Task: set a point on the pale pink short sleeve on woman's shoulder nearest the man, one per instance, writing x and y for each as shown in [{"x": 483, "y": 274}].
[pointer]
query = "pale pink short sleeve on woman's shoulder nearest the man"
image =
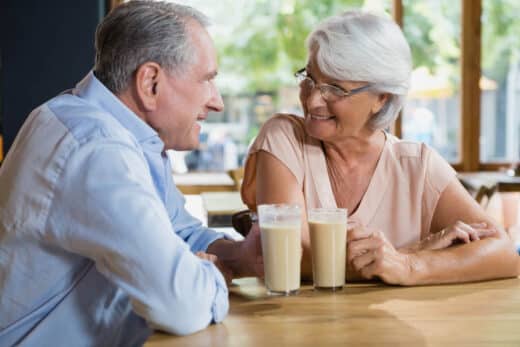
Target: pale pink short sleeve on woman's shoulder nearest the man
[{"x": 283, "y": 137}]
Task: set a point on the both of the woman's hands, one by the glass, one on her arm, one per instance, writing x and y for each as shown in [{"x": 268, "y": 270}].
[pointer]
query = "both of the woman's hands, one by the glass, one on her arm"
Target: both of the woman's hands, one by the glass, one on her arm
[{"x": 371, "y": 255}]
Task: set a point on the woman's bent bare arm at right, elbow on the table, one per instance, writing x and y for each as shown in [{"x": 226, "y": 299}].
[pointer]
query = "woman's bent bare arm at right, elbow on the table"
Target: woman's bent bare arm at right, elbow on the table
[{"x": 491, "y": 257}]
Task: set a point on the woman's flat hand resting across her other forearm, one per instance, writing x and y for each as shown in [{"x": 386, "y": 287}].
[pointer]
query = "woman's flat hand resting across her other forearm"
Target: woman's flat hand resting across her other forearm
[{"x": 459, "y": 232}]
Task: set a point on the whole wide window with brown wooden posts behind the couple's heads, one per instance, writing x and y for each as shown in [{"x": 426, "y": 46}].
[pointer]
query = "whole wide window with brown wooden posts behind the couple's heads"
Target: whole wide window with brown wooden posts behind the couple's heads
[{"x": 464, "y": 106}]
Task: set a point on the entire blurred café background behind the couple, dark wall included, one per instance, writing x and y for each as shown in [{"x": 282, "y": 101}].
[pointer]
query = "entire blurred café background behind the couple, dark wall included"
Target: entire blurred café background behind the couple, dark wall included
[{"x": 465, "y": 87}]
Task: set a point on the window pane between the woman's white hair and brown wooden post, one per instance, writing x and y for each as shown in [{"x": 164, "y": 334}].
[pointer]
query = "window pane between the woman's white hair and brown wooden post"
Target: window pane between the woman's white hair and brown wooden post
[{"x": 431, "y": 114}]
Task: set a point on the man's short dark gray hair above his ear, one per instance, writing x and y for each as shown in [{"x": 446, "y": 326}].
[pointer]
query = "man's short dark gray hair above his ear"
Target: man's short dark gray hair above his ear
[{"x": 140, "y": 31}]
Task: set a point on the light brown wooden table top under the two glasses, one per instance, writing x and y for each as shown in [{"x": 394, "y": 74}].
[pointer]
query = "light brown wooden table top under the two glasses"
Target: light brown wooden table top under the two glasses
[{"x": 476, "y": 314}]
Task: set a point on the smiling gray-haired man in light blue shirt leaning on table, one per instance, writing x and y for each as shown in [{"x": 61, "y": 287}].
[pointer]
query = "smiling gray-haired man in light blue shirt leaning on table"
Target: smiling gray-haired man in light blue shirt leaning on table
[{"x": 96, "y": 247}]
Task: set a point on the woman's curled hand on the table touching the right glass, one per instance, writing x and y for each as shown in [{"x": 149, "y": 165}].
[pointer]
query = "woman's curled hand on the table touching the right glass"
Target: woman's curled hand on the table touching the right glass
[{"x": 371, "y": 255}]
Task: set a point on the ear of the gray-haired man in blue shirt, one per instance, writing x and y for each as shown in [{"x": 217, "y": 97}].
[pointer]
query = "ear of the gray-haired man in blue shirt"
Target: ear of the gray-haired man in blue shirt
[{"x": 146, "y": 80}]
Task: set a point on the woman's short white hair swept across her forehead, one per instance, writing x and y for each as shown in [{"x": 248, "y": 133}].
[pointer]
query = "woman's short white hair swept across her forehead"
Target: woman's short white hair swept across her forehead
[{"x": 360, "y": 46}]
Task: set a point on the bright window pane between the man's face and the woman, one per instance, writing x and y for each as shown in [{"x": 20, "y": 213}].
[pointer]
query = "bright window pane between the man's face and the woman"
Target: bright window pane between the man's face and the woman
[{"x": 259, "y": 52}]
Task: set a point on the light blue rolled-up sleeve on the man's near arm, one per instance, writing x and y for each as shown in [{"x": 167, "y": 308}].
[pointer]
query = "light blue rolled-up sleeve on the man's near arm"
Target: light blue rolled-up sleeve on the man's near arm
[{"x": 107, "y": 209}]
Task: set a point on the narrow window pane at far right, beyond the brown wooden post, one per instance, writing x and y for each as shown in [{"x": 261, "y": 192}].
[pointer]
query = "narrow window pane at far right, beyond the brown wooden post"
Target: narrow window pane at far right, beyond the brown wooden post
[{"x": 500, "y": 82}]
